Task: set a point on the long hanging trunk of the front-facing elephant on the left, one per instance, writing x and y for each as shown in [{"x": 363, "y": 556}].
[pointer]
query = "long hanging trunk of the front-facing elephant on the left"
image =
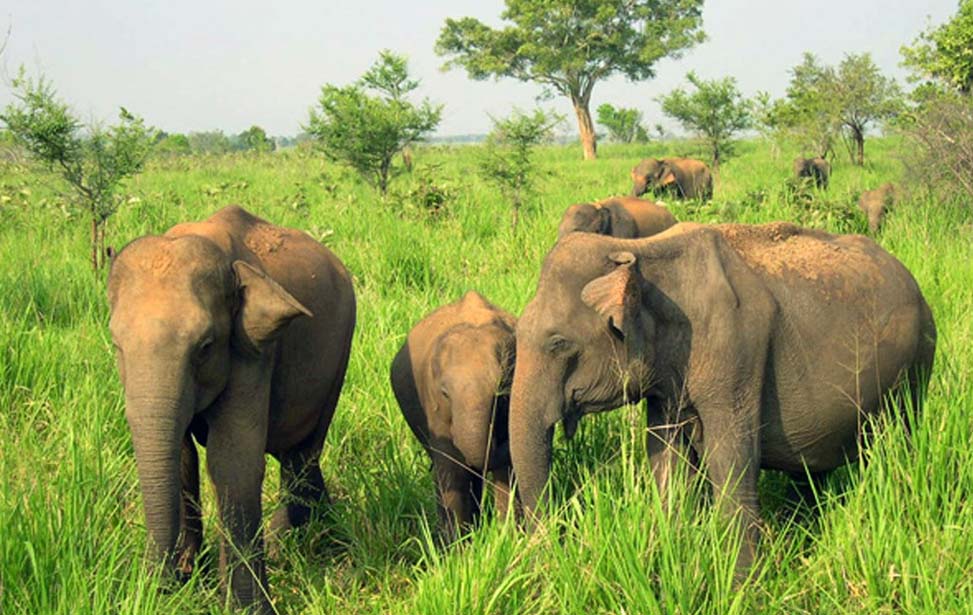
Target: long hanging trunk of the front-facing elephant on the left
[{"x": 158, "y": 426}]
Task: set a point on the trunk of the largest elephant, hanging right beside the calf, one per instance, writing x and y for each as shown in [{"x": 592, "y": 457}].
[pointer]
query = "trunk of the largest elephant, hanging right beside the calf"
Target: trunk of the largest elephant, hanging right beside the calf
[{"x": 532, "y": 419}]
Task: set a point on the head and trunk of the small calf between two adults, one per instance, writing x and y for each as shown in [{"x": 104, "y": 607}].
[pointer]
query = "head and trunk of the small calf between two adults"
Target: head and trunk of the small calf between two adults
[{"x": 472, "y": 368}]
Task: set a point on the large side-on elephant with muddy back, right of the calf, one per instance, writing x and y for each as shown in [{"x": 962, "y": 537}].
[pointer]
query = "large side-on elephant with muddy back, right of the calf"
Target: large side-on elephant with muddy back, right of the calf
[{"x": 755, "y": 346}]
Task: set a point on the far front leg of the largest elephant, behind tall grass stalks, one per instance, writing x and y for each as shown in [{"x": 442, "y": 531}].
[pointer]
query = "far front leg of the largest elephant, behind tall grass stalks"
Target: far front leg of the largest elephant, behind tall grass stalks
[{"x": 665, "y": 442}]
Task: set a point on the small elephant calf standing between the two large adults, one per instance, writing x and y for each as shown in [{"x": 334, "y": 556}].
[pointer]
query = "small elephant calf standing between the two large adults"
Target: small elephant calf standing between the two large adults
[{"x": 452, "y": 382}]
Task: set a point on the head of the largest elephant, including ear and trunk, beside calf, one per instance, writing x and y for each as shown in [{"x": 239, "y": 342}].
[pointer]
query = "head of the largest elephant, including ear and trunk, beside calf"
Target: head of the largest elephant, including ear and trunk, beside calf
[{"x": 581, "y": 348}]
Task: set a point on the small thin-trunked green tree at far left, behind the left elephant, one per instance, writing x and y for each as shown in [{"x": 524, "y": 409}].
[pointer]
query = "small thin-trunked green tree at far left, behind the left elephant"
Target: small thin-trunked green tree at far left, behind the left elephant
[{"x": 93, "y": 160}]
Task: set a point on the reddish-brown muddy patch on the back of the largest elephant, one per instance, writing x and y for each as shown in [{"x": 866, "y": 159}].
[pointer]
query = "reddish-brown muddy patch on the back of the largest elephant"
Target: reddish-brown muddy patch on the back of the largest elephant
[{"x": 782, "y": 249}]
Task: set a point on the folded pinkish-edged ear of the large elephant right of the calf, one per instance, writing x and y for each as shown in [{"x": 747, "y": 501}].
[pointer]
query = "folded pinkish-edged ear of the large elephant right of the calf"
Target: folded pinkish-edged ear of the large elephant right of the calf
[{"x": 617, "y": 297}]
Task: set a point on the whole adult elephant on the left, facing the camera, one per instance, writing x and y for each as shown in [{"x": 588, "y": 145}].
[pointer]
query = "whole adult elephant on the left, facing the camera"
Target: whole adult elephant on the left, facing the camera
[{"x": 234, "y": 333}]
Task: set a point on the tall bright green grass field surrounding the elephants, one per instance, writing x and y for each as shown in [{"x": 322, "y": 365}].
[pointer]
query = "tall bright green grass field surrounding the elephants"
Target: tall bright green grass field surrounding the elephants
[{"x": 894, "y": 535}]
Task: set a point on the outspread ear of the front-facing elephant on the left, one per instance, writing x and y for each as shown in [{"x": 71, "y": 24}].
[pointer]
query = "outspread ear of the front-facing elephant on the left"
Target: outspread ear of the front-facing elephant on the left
[{"x": 265, "y": 309}]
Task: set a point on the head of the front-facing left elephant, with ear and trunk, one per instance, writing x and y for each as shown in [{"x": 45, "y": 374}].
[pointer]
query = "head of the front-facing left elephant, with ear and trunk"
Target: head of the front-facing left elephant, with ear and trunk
[{"x": 182, "y": 312}]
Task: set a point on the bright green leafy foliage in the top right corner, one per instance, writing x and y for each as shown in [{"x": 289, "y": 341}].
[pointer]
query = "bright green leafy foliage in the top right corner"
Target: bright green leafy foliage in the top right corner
[{"x": 944, "y": 55}]
